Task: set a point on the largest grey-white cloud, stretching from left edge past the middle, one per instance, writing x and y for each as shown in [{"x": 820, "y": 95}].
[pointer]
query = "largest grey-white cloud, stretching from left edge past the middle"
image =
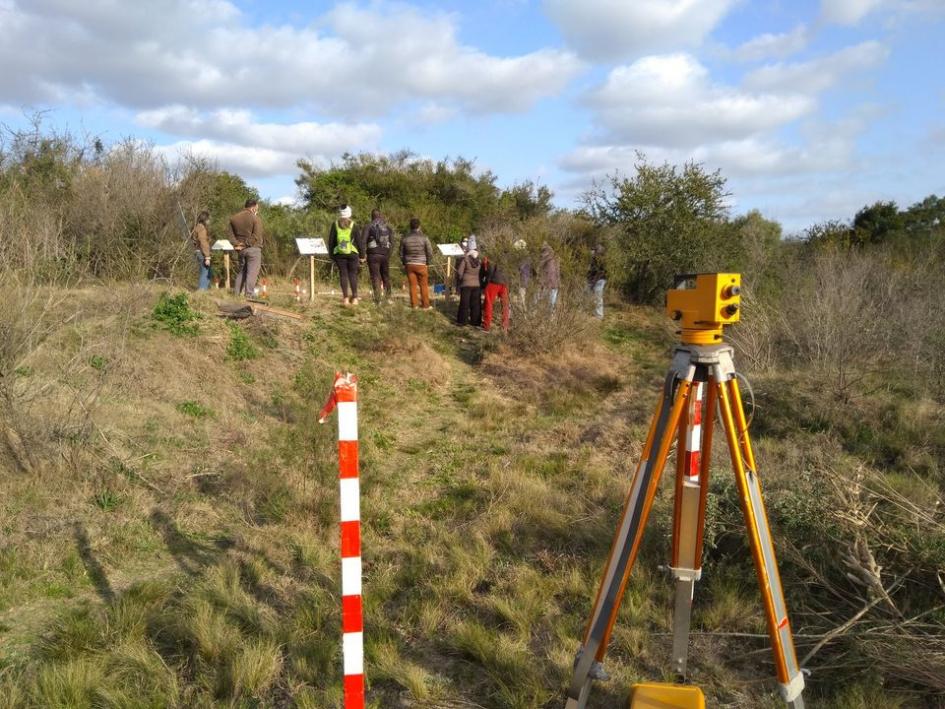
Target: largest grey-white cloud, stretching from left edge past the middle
[{"x": 355, "y": 62}]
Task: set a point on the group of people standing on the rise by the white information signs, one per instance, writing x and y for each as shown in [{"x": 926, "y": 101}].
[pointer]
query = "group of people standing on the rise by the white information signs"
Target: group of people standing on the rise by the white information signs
[{"x": 480, "y": 279}]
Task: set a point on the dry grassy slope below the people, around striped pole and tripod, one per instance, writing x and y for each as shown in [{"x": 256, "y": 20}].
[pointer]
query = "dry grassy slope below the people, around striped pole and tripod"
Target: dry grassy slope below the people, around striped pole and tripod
[{"x": 170, "y": 515}]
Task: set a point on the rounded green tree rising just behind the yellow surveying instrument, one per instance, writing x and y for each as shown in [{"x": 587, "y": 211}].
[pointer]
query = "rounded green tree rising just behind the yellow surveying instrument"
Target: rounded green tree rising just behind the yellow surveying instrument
[{"x": 667, "y": 220}]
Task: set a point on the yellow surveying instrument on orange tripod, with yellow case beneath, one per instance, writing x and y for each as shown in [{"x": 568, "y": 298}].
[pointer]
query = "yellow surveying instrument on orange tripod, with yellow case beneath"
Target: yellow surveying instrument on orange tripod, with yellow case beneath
[{"x": 701, "y": 379}]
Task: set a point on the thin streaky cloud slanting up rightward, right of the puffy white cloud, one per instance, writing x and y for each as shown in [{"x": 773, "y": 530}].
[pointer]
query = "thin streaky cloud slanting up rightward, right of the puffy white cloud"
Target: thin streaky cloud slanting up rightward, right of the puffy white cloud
[{"x": 818, "y": 74}]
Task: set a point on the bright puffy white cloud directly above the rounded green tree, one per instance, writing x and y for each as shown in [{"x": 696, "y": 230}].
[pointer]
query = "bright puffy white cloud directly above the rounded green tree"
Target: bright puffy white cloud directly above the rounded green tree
[{"x": 671, "y": 101}]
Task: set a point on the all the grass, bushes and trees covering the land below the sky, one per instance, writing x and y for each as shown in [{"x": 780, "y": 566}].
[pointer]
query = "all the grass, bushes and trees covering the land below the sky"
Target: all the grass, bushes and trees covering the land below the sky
[{"x": 170, "y": 502}]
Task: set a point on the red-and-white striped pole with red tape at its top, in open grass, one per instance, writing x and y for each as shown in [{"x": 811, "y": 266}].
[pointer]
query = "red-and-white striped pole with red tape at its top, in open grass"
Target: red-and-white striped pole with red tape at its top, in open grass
[{"x": 344, "y": 394}]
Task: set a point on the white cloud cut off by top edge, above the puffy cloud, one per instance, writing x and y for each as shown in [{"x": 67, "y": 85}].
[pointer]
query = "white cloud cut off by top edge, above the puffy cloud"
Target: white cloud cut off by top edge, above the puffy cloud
[{"x": 617, "y": 29}]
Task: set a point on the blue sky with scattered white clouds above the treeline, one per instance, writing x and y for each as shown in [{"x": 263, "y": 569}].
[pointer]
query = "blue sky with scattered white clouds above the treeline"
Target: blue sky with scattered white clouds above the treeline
[{"x": 810, "y": 108}]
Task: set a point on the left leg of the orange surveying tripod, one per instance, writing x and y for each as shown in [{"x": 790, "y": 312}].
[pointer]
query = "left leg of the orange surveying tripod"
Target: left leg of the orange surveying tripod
[{"x": 626, "y": 543}]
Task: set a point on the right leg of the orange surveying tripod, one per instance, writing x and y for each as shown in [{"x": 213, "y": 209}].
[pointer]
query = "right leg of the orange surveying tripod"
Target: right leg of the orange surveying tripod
[{"x": 762, "y": 547}]
